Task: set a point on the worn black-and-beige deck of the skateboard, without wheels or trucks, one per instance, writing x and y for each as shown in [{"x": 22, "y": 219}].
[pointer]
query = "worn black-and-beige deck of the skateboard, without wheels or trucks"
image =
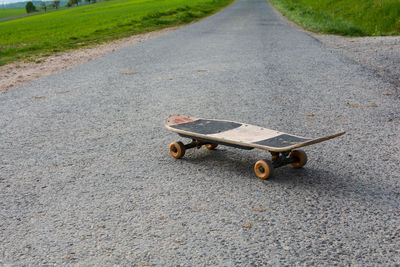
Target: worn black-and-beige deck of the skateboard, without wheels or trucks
[{"x": 241, "y": 135}]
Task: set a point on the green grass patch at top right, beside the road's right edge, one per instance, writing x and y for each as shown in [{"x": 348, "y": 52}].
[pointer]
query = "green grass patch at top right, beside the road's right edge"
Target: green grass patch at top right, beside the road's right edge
[{"x": 344, "y": 17}]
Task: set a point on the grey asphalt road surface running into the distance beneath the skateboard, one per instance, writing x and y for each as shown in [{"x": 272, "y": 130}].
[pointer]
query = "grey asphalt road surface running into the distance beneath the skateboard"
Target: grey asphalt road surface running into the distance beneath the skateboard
[{"x": 86, "y": 176}]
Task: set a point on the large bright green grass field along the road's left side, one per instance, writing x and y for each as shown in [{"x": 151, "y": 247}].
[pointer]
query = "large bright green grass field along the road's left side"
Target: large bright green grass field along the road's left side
[{"x": 46, "y": 34}]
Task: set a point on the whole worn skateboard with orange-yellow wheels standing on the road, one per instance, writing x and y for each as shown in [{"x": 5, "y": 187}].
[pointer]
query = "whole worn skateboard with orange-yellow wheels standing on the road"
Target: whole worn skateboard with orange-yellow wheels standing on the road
[{"x": 211, "y": 133}]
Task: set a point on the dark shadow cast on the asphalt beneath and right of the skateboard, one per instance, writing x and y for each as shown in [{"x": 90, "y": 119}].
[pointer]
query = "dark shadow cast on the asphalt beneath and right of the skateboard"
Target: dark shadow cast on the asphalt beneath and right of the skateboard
[{"x": 314, "y": 180}]
